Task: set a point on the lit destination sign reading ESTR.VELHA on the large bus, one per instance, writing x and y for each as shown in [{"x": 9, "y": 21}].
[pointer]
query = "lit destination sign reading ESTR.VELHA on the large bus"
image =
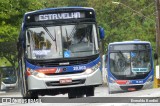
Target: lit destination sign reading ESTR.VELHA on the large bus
[{"x": 71, "y": 15}]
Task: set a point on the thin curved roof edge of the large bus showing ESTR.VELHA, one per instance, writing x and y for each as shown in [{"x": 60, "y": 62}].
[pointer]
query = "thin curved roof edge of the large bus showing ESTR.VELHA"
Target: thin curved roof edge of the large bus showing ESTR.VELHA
[{"x": 76, "y": 8}]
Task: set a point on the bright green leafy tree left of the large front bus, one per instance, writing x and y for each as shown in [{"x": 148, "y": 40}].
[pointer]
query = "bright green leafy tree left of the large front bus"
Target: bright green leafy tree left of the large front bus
[{"x": 11, "y": 14}]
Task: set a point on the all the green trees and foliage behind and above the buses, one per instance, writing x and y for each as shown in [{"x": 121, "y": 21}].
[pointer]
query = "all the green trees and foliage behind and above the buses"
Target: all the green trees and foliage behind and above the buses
[{"x": 128, "y": 20}]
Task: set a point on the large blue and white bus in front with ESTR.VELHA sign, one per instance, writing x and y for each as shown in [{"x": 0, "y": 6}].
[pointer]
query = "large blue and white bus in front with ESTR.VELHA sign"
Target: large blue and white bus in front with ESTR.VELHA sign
[{"x": 59, "y": 52}]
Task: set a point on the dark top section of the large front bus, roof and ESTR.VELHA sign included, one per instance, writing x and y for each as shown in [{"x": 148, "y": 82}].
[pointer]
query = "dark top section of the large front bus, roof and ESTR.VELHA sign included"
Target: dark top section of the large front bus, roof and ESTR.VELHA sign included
[{"x": 60, "y": 13}]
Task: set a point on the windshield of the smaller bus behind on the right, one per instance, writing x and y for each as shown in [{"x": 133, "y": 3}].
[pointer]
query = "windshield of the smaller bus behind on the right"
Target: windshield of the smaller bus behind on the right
[{"x": 131, "y": 64}]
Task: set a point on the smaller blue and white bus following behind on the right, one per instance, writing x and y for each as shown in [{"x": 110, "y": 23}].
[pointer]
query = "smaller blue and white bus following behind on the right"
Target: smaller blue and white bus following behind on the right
[{"x": 129, "y": 66}]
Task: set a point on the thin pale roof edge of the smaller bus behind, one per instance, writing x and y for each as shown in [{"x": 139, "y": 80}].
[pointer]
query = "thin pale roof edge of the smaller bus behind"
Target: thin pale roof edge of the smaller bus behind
[{"x": 130, "y": 42}]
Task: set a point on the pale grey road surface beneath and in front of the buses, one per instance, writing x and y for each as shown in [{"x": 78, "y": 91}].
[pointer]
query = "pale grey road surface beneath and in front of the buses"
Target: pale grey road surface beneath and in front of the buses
[{"x": 101, "y": 98}]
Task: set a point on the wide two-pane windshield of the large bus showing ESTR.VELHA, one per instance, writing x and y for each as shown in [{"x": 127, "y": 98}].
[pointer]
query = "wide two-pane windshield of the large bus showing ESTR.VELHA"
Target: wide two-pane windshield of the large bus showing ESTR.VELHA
[{"x": 47, "y": 42}]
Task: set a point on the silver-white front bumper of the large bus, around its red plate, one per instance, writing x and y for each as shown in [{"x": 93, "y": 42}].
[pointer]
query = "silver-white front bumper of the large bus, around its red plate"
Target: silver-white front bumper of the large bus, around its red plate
[{"x": 52, "y": 82}]
